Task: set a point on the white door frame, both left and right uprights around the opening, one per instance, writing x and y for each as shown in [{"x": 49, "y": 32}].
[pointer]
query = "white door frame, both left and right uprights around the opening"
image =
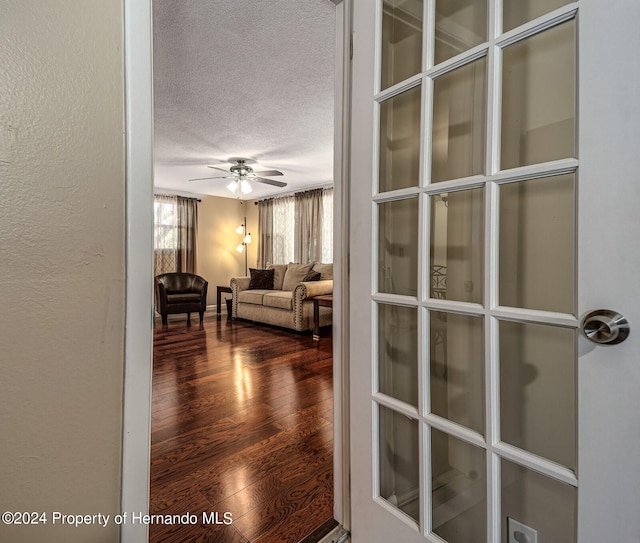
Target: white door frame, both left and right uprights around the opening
[{"x": 138, "y": 347}]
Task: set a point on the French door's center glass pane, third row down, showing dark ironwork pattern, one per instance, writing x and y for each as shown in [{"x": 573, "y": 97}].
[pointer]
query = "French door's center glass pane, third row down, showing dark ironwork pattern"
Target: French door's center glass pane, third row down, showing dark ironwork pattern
[{"x": 456, "y": 246}]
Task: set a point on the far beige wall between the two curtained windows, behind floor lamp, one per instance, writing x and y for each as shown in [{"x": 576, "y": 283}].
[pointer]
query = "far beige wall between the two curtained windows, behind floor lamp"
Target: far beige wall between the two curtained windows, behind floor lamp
[{"x": 218, "y": 260}]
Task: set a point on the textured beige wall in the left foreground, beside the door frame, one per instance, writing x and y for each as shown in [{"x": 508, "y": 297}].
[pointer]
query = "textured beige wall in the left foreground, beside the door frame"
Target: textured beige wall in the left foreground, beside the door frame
[{"x": 62, "y": 245}]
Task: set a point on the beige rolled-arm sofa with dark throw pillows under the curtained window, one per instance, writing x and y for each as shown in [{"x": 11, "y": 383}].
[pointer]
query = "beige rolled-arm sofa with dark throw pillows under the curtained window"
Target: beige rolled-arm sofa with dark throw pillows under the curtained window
[{"x": 282, "y": 295}]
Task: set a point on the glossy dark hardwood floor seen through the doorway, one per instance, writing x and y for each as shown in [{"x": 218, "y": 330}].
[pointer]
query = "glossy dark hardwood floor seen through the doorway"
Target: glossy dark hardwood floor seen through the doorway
[{"x": 242, "y": 423}]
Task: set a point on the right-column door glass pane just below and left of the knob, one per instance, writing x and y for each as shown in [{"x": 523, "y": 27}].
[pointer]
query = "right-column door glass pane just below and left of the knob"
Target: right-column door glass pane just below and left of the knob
[{"x": 538, "y": 390}]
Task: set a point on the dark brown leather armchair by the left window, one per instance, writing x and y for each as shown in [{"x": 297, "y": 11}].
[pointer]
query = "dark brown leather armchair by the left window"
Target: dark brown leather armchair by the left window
[{"x": 180, "y": 293}]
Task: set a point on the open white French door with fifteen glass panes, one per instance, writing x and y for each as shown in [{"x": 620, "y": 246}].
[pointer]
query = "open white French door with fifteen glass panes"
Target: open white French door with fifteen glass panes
[{"x": 494, "y": 197}]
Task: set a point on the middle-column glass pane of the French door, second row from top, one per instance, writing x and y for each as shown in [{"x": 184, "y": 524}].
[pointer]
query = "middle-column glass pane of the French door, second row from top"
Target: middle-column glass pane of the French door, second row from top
[{"x": 459, "y": 112}]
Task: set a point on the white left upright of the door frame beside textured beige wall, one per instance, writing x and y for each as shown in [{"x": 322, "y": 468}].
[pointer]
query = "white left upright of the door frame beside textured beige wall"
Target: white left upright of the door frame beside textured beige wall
[{"x": 138, "y": 348}]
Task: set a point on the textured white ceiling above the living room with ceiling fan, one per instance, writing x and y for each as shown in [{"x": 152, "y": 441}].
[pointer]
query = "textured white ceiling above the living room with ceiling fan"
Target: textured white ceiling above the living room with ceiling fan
[{"x": 243, "y": 78}]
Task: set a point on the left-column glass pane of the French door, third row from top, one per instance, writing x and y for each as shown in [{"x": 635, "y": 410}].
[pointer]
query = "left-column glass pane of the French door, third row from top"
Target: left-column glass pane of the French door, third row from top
[{"x": 398, "y": 247}]
